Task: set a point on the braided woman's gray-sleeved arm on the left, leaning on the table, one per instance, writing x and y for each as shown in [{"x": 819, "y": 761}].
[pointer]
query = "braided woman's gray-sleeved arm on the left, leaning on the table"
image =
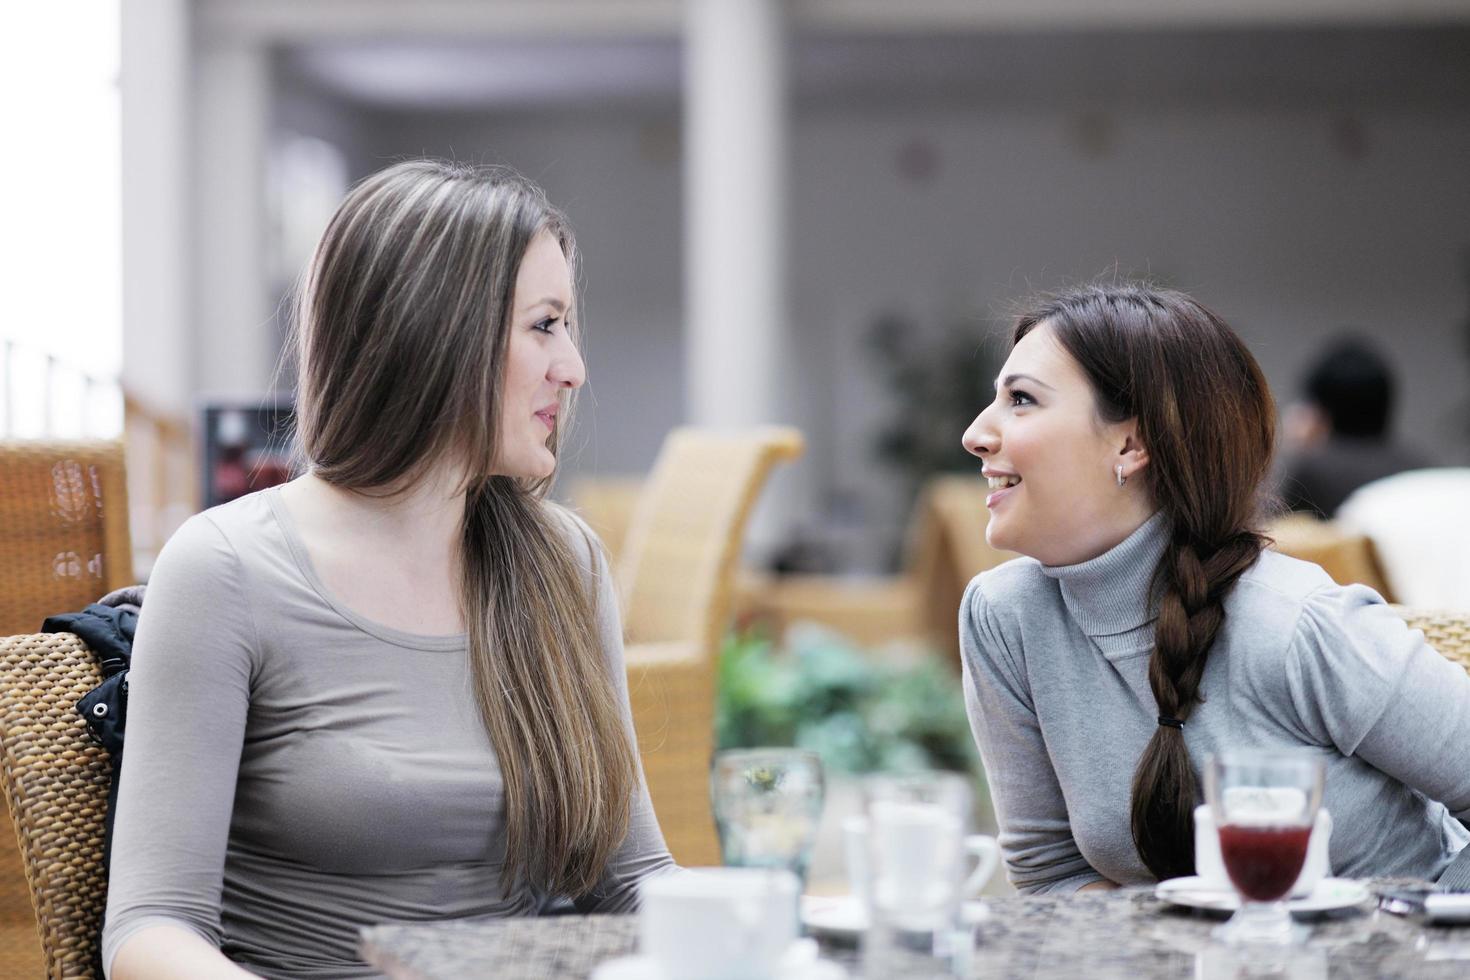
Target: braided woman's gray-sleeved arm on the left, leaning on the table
[{"x": 1041, "y": 854}]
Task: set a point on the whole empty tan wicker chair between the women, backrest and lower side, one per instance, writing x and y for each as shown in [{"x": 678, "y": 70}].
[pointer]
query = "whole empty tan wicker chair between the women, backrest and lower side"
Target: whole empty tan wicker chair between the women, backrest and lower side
[{"x": 677, "y": 577}]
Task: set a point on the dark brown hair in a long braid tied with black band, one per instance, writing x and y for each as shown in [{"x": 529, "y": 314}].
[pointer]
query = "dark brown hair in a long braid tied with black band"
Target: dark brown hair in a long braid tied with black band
[{"x": 1209, "y": 422}]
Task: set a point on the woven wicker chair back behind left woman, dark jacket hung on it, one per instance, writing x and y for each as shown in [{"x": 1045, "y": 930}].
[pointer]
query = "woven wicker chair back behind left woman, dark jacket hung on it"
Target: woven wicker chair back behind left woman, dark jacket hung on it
[{"x": 55, "y": 779}]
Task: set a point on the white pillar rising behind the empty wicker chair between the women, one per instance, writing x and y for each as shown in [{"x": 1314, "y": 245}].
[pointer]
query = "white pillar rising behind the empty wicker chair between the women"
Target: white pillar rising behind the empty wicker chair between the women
[{"x": 736, "y": 171}]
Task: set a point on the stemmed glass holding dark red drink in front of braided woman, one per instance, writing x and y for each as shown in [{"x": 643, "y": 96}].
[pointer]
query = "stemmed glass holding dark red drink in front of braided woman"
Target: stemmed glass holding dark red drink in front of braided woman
[{"x": 1265, "y": 803}]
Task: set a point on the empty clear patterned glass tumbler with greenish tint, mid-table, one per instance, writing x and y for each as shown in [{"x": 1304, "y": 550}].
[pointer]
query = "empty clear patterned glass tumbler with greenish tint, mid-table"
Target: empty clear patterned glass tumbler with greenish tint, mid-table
[{"x": 768, "y": 806}]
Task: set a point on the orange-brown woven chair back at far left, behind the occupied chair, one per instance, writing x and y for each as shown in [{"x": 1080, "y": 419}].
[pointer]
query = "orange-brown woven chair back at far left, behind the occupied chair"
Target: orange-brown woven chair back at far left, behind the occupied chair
[{"x": 64, "y": 530}]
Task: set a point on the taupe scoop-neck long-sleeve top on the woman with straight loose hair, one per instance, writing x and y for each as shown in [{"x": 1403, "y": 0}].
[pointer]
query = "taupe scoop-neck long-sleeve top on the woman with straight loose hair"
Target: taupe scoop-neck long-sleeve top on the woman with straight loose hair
[{"x": 295, "y": 771}]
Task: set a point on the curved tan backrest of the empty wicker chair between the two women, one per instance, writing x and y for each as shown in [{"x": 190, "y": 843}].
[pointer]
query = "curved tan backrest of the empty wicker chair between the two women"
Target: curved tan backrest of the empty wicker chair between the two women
[{"x": 678, "y": 565}]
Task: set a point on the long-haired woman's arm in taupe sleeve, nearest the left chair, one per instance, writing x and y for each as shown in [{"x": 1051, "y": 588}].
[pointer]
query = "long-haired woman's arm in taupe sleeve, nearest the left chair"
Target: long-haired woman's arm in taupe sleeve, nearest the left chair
[{"x": 189, "y": 694}]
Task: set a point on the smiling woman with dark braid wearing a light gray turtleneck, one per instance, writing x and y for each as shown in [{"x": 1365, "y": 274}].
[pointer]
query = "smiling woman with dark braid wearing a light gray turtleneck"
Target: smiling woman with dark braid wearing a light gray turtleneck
[{"x": 1147, "y": 625}]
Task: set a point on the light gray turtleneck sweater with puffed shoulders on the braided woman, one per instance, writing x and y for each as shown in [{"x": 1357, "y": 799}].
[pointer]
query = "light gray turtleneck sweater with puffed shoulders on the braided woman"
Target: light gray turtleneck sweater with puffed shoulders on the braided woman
[{"x": 1056, "y": 681}]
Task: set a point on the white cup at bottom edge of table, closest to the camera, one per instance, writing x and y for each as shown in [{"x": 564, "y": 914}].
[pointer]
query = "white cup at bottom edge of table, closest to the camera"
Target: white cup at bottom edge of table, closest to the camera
[{"x": 718, "y": 923}]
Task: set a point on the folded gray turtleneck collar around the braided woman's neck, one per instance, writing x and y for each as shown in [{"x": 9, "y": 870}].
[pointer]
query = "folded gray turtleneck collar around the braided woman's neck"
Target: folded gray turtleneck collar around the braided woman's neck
[{"x": 1111, "y": 594}]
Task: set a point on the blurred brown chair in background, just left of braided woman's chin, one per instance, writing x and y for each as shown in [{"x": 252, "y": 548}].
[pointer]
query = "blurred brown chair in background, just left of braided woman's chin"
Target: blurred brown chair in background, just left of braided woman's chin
[{"x": 944, "y": 549}]
